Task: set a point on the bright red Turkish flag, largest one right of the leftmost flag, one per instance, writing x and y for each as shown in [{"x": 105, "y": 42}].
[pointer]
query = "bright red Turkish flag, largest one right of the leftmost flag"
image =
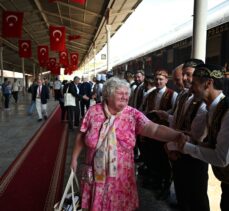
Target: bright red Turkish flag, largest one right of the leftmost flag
[{"x": 57, "y": 38}]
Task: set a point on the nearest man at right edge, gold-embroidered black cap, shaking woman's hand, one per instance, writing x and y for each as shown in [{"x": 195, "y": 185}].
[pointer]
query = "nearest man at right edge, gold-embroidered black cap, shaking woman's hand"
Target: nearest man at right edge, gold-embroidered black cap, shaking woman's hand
[{"x": 208, "y": 85}]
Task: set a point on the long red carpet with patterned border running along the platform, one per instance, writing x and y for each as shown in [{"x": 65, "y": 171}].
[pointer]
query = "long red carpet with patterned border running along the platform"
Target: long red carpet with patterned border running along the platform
[{"x": 34, "y": 180}]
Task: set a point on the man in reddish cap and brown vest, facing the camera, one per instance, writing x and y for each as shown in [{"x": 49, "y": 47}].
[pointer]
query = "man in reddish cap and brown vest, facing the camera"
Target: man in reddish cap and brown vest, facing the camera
[{"x": 156, "y": 158}]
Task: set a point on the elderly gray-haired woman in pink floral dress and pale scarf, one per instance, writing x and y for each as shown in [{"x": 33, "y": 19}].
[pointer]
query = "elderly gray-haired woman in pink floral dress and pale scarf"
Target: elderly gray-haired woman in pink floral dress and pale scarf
[{"x": 108, "y": 132}]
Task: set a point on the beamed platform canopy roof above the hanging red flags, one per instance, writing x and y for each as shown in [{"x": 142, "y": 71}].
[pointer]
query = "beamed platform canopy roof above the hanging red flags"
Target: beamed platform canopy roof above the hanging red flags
[{"x": 84, "y": 20}]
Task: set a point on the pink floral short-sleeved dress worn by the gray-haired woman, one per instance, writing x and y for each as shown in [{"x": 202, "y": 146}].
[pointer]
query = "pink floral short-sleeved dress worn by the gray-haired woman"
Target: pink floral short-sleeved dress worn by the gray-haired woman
[{"x": 119, "y": 193}]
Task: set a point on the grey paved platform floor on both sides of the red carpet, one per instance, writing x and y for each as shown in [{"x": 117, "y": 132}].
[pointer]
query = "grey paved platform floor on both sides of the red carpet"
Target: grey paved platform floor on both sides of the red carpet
[{"x": 16, "y": 129}]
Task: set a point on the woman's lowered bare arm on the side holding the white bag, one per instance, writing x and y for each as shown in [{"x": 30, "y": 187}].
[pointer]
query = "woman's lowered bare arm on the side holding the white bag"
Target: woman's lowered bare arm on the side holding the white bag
[{"x": 79, "y": 145}]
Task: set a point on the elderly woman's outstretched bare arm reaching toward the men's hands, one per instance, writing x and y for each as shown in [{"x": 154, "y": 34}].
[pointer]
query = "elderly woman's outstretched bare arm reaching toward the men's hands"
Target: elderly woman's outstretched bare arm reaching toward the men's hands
[{"x": 161, "y": 133}]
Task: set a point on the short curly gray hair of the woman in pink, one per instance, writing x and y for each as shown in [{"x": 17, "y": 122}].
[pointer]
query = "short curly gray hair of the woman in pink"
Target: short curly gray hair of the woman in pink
[{"x": 111, "y": 85}]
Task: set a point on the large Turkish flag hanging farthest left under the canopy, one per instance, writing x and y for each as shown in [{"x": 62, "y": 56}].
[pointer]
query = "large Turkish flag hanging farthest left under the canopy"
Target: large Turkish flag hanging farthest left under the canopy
[{"x": 12, "y": 24}]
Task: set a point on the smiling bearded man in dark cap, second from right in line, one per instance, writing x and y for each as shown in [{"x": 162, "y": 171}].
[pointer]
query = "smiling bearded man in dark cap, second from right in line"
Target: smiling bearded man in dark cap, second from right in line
[{"x": 190, "y": 117}]
